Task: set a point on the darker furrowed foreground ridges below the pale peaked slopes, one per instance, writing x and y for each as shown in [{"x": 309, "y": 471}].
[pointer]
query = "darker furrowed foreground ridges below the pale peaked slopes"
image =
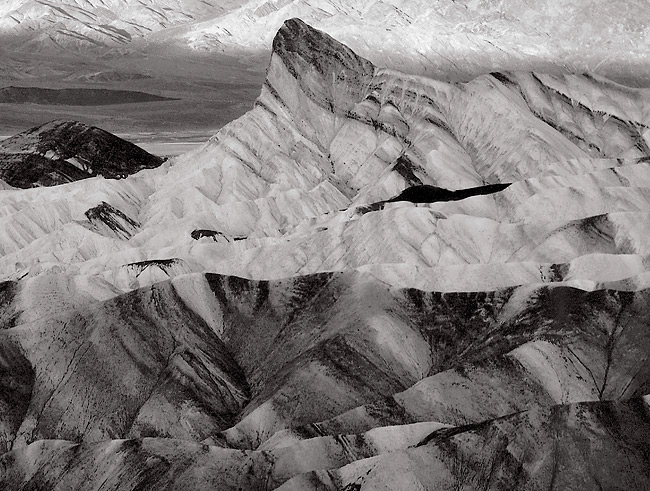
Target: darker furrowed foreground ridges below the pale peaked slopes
[{"x": 276, "y": 355}]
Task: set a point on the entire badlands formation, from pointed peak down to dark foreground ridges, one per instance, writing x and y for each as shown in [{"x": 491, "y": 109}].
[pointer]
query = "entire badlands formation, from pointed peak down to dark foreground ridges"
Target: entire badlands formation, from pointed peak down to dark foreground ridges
[{"x": 371, "y": 280}]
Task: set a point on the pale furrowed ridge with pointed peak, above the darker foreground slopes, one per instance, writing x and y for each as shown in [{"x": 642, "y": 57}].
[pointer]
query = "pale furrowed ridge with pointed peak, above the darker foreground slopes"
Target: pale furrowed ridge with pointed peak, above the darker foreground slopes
[{"x": 330, "y": 131}]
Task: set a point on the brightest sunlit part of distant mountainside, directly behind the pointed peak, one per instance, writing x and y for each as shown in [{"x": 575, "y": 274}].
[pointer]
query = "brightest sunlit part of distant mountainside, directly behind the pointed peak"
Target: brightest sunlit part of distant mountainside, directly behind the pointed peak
[{"x": 453, "y": 39}]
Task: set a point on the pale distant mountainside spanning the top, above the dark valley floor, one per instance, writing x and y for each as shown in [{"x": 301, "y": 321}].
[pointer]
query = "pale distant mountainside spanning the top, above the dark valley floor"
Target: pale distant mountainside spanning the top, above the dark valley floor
[{"x": 454, "y": 39}]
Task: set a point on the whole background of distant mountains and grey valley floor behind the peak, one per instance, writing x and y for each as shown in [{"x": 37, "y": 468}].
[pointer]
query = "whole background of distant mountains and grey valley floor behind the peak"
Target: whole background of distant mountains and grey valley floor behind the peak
[{"x": 212, "y": 55}]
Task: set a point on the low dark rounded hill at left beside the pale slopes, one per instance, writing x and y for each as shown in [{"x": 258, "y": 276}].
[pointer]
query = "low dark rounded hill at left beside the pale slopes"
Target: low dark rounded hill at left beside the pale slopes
[{"x": 66, "y": 151}]
